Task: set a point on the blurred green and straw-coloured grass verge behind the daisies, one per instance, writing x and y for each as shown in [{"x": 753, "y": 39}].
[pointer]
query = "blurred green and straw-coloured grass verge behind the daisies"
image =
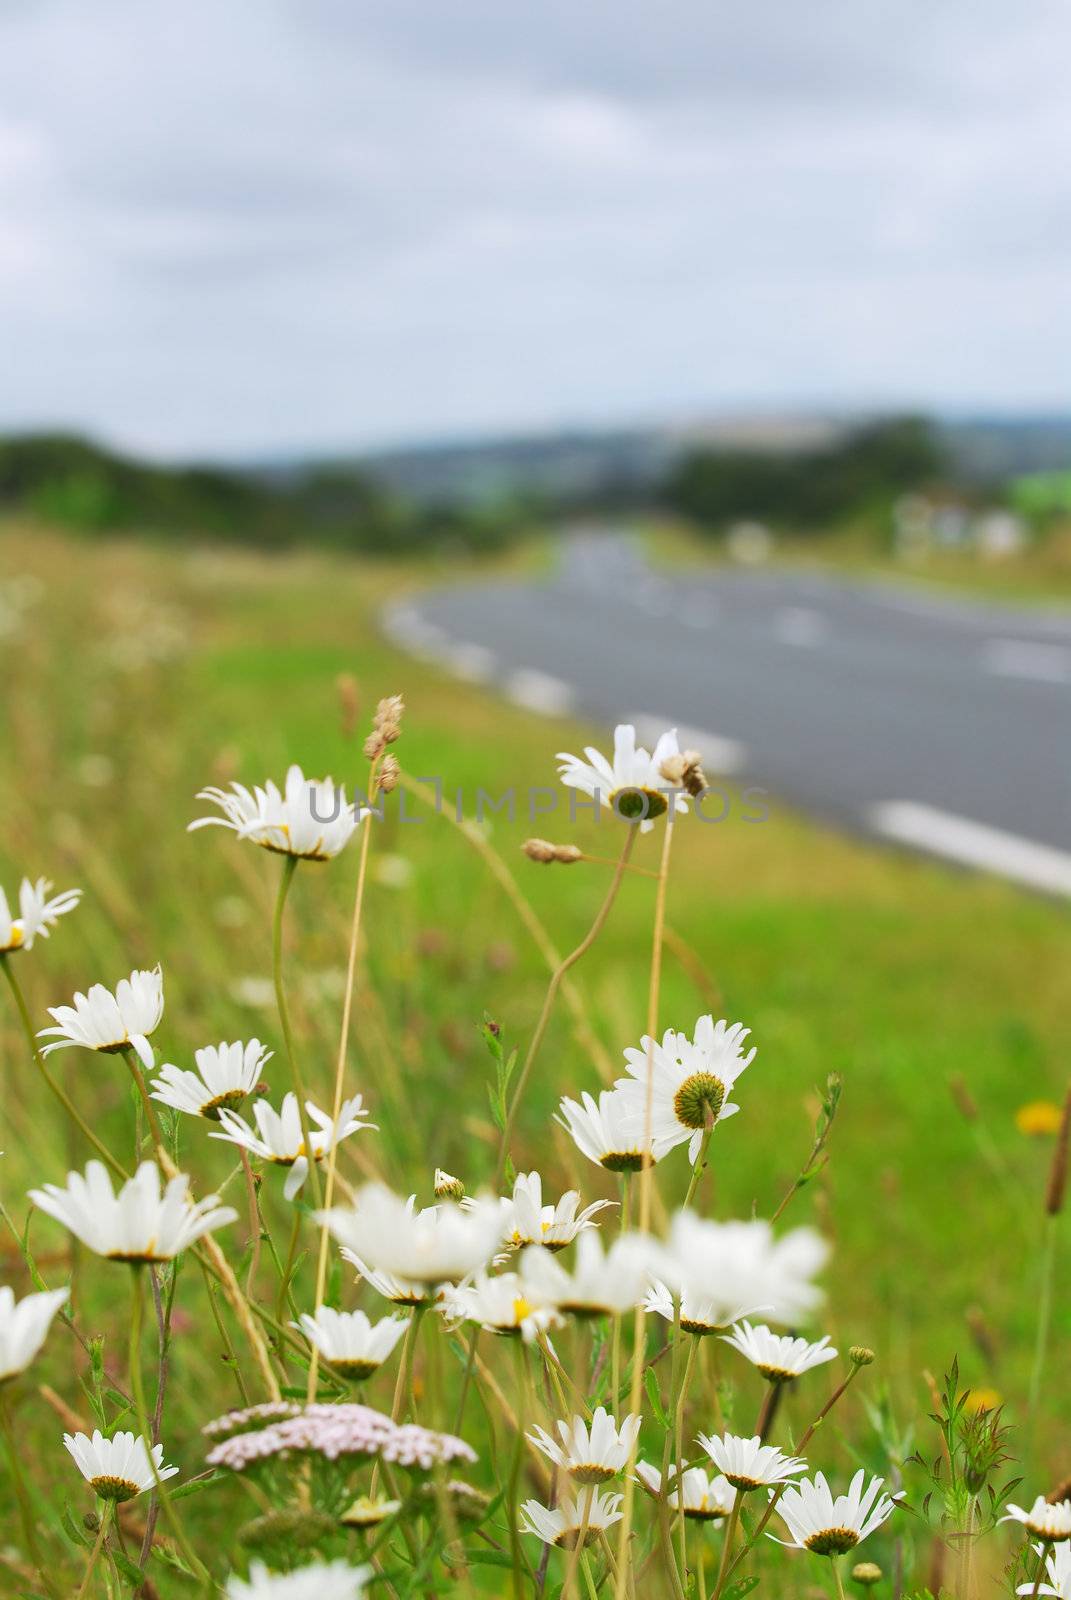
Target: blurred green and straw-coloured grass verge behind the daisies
[{"x": 894, "y": 974}]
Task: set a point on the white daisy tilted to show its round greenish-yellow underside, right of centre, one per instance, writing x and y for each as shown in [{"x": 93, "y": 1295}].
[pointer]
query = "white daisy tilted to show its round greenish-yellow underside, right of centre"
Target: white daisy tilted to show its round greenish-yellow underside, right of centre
[{"x": 691, "y": 1081}]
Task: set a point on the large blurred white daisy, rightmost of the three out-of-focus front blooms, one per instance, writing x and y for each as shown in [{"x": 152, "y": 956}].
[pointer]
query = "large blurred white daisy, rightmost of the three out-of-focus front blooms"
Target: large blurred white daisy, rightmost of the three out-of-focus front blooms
[{"x": 739, "y": 1270}]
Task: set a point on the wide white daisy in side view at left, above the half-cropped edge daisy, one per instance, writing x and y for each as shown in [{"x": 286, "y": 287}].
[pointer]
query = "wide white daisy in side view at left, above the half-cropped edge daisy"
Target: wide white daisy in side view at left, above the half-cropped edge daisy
[{"x": 137, "y": 1225}]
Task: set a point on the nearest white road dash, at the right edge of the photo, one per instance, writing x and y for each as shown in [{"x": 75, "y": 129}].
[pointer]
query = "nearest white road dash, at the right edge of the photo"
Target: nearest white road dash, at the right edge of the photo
[{"x": 974, "y": 844}]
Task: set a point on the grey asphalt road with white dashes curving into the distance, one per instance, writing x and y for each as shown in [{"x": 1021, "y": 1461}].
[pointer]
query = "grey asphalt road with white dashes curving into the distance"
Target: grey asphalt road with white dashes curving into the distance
[{"x": 941, "y": 724}]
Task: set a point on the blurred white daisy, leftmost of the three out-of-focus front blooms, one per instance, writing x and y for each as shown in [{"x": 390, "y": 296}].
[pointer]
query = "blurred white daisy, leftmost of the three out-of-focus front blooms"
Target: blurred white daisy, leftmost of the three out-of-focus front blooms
[{"x": 438, "y": 1246}]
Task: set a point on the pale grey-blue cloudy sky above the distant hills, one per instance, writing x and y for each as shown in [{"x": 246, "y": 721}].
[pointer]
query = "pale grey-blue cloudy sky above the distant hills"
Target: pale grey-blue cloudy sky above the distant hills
[{"x": 241, "y": 226}]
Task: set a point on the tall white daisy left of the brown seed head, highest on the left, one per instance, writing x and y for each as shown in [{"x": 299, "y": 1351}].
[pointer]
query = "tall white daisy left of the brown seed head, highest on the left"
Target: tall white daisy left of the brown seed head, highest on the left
[{"x": 310, "y": 820}]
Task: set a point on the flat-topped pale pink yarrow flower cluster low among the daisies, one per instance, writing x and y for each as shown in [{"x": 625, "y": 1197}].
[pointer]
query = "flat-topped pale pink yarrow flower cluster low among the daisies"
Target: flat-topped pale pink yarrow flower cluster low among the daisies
[{"x": 331, "y": 1431}]
